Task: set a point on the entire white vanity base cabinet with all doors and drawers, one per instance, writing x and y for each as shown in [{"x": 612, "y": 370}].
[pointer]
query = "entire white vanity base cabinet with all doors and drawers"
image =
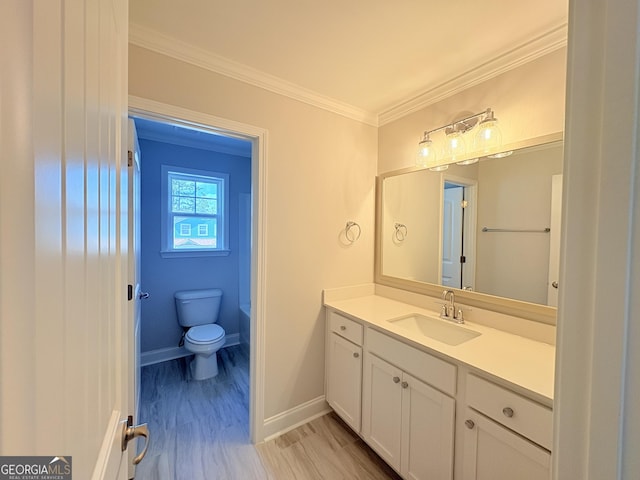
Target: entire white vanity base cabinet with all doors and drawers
[{"x": 412, "y": 405}]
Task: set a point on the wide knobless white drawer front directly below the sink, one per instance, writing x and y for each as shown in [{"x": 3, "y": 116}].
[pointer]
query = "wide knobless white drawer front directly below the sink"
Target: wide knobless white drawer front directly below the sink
[{"x": 425, "y": 367}]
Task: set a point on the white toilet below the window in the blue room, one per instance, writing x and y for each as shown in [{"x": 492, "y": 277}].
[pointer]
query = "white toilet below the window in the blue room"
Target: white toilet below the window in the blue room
[{"x": 198, "y": 311}]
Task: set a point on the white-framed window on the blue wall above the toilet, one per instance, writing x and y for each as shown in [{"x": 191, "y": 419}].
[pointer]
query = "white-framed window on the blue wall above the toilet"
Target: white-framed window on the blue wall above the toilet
[{"x": 195, "y": 211}]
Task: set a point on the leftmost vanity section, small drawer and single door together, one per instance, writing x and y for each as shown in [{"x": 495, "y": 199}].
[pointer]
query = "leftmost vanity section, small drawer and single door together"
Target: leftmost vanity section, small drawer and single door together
[{"x": 344, "y": 368}]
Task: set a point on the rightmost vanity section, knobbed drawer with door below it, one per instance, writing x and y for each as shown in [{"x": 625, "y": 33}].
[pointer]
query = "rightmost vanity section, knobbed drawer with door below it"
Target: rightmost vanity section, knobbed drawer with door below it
[{"x": 506, "y": 436}]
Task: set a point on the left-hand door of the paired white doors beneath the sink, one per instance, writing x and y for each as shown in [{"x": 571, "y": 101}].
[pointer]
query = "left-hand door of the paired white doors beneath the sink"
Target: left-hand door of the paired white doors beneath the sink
[{"x": 382, "y": 409}]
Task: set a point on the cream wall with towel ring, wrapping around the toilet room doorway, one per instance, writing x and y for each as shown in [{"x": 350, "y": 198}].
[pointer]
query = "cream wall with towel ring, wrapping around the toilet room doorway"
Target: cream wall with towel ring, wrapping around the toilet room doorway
[{"x": 320, "y": 174}]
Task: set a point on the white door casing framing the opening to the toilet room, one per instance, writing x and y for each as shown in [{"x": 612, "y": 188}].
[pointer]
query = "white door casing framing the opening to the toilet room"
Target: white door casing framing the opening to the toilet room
[{"x": 209, "y": 125}]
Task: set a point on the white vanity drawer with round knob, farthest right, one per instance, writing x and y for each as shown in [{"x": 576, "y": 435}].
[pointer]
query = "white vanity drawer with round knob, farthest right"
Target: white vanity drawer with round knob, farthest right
[{"x": 528, "y": 418}]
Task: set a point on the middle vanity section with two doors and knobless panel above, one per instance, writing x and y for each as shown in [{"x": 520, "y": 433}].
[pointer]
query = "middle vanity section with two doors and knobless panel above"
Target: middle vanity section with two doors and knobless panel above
[{"x": 406, "y": 417}]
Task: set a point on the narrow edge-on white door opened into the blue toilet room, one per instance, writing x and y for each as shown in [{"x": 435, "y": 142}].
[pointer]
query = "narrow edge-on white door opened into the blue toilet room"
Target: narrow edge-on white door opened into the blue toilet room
[{"x": 135, "y": 294}]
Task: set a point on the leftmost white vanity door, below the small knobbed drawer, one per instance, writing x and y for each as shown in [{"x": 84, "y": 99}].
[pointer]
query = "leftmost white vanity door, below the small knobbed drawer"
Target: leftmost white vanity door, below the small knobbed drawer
[{"x": 344, "y": 385}]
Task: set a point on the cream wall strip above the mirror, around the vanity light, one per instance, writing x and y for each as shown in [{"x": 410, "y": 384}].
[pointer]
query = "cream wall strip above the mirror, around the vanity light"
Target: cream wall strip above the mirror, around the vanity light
[{"x": 528, "y": 102}]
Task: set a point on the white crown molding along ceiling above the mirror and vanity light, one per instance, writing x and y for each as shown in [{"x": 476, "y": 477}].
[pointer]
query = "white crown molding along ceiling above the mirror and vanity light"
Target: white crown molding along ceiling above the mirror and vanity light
[{"x": 548, "y": 42}]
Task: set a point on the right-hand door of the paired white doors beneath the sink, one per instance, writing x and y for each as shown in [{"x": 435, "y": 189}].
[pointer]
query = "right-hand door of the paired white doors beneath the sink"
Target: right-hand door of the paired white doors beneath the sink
[{"x": 428, "y": 418}]
